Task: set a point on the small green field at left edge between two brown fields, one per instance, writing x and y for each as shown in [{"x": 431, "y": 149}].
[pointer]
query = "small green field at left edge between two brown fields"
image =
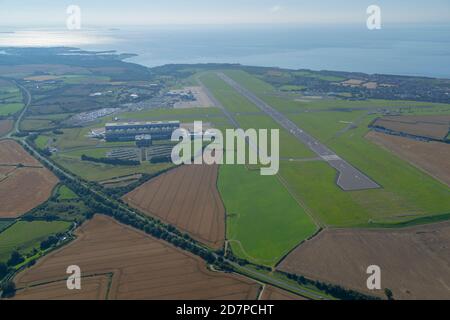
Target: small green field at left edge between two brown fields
[{"x": 25, "y": 236}]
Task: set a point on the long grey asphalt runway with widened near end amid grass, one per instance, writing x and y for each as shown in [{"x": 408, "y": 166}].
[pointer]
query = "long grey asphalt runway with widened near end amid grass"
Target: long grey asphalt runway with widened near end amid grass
[{"x": 349, "y": 178}]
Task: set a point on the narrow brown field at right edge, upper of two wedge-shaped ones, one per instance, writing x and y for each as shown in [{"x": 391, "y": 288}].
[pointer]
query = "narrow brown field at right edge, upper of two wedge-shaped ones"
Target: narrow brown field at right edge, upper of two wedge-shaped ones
[{"x": 434, "y": 127}]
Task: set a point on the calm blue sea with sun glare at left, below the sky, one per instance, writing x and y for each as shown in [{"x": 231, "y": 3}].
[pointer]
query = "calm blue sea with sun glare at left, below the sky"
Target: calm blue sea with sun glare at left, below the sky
[{"x": 407, "y": 50}]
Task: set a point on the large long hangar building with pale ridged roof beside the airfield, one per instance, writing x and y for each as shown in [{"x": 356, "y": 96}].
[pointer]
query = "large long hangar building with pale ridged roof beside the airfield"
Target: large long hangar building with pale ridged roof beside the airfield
[{"x": 130, "y": 131}]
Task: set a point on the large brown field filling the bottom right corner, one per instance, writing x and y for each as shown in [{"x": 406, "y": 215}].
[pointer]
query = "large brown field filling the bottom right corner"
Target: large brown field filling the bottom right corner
[{"x": 414, "y": 262}]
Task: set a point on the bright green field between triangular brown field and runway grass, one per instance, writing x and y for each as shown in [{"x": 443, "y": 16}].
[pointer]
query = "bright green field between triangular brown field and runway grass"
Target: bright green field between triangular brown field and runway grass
[{"x": 264, "y": 222}]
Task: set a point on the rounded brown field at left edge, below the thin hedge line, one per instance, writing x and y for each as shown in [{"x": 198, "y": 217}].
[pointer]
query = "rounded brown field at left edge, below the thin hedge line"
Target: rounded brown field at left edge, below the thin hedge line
[{"x": 24, "y": 189}]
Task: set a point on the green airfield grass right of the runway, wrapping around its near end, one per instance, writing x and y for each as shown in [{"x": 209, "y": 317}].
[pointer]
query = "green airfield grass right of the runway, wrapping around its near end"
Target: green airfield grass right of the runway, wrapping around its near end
[{"x": 406, "y": 194}]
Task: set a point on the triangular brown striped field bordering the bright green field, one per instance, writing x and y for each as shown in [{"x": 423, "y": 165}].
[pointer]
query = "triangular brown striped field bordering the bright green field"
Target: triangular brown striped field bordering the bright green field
[{"x": 186, "y": 197}]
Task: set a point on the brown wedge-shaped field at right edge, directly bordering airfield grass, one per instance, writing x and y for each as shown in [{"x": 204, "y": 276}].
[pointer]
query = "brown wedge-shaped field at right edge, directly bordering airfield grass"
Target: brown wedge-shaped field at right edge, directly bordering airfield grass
[{"x": 432, "y": 157}]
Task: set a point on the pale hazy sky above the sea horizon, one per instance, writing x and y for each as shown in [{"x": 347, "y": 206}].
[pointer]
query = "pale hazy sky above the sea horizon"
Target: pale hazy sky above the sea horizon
[{"x": 113, "y": 13}]
